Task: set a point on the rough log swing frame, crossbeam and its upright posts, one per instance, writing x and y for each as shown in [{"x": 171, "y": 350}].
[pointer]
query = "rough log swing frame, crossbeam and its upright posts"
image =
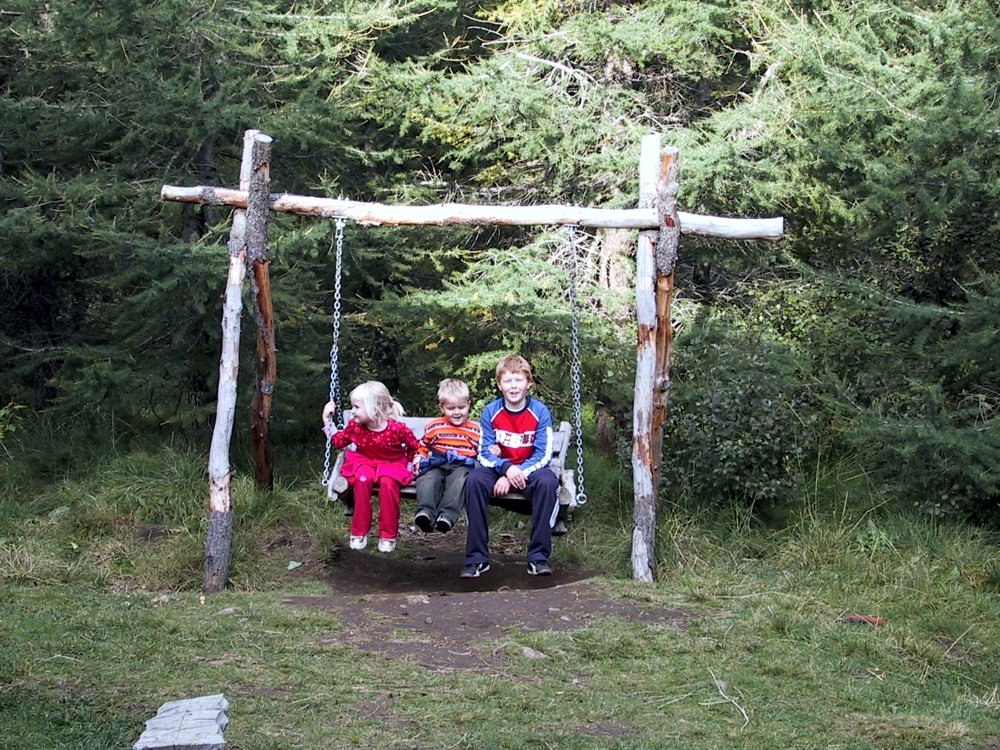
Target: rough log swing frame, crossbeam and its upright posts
[{"x": 660, "y": 226}]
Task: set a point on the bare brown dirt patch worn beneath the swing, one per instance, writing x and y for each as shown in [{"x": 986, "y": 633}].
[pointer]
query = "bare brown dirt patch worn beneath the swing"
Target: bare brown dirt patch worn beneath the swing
[{"x": 412, "y": 603}]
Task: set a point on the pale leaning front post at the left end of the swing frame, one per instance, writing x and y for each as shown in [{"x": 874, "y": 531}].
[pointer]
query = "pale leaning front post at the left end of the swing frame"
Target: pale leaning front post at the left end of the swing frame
[{"x": 220, "y": 516}]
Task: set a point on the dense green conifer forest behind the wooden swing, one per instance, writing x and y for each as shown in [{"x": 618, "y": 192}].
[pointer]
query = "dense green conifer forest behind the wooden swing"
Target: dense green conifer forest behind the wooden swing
[{"x": 866, "y": 339}]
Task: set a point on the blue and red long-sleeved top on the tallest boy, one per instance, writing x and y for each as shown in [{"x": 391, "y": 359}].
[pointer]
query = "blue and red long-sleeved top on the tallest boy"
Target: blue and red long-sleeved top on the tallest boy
[{"x": 524, "y": 437}]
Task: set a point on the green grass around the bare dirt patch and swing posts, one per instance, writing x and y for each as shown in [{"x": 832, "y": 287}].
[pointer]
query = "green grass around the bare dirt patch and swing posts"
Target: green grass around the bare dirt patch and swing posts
[{"x": 102, "y": 620}]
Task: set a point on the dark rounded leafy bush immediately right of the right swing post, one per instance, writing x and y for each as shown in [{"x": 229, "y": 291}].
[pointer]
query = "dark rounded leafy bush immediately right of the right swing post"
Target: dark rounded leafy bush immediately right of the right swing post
[{"x": 740, "y": 421}]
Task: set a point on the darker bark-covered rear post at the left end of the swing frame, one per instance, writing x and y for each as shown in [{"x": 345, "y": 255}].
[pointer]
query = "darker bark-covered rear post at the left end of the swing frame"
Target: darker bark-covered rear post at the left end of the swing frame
[{"x": 258, "y": 197}]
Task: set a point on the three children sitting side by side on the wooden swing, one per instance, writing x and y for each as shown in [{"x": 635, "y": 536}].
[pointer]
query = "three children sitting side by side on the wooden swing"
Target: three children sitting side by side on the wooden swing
[{"x": 456, "y": 461}]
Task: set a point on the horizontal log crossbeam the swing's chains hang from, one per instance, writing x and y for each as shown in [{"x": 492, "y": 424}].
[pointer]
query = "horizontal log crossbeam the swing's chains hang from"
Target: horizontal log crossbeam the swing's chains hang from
[{"x": 644, "y": 217}]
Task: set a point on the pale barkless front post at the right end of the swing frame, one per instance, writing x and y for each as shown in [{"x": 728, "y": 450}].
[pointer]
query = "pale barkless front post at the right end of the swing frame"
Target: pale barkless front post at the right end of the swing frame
[{"x": 644, "y": 529}]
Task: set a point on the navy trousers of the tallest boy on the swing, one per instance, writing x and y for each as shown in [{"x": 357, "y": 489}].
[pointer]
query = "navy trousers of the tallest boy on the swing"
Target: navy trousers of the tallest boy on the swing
[{"x": 540, "y": 493}]
